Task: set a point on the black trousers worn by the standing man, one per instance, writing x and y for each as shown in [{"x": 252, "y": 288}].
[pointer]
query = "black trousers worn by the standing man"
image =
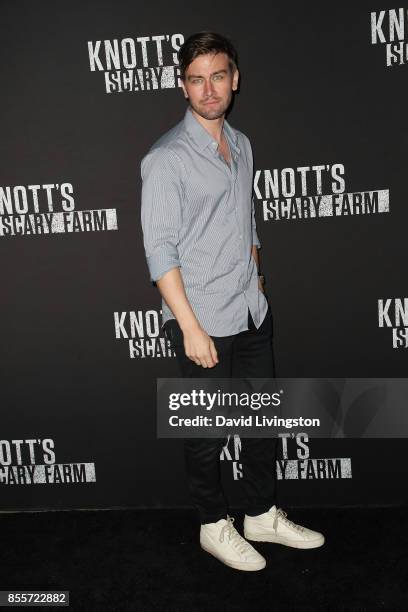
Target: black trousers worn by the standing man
[{"x": 248, "y": 354}]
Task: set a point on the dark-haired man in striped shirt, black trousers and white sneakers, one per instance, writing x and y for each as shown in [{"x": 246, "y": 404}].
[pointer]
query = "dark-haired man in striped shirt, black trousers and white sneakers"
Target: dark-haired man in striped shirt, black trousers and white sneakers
[{"x": 201, "y": 246}]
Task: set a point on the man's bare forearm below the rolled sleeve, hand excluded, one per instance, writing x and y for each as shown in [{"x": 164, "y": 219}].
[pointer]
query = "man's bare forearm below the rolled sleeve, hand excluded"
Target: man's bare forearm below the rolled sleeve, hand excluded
[{"x": 172, "y": 289}]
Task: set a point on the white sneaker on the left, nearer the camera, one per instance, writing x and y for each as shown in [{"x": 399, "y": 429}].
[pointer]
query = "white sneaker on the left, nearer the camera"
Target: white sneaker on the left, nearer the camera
[{"x": 223, "y": 541}]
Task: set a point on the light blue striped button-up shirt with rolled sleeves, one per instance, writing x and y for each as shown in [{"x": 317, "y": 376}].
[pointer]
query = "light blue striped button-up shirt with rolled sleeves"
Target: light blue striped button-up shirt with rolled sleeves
[{"x": 197, "y": 214}]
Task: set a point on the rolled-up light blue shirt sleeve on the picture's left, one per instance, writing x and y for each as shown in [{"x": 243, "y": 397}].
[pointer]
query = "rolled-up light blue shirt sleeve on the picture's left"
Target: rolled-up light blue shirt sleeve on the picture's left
[{"x": 161, "y": 210}]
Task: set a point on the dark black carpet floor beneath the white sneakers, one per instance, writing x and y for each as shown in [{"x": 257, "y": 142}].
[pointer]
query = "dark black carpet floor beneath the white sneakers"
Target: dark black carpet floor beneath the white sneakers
[{"x": 151, "y": 560}]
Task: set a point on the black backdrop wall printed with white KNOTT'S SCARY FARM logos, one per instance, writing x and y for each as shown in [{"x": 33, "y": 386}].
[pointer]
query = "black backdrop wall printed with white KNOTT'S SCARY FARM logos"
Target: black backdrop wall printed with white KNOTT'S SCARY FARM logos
[{"x": 87, "y": 87}]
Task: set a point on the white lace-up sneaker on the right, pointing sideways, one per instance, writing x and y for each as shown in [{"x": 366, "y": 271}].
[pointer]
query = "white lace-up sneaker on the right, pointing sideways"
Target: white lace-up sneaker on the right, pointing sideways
[{"x": 273, "y": 526}]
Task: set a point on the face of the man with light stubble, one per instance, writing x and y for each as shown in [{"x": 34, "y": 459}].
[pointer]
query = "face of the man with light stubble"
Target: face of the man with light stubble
[{"x": 209, "y": 84}]
